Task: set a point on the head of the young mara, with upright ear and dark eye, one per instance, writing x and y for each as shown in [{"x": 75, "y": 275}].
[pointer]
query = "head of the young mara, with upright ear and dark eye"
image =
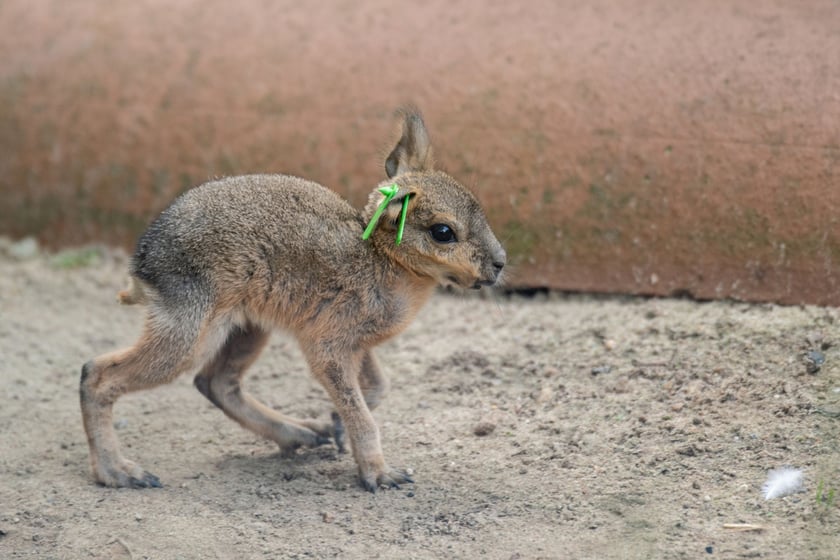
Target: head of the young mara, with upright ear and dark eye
[{"x": 446, "y": 235}]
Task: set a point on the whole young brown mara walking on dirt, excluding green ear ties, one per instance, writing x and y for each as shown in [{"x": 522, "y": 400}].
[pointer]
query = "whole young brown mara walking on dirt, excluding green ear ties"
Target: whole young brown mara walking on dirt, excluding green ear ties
[{"x": 233, "y": 259}]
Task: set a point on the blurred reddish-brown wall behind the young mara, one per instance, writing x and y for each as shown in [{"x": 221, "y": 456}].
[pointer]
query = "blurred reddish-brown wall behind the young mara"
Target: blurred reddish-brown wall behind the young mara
[{"x": 650, "y": 147}]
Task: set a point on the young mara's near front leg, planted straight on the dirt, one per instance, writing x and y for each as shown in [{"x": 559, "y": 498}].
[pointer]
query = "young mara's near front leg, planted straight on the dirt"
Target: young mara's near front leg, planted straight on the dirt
[{"x": 339, "y": 374}]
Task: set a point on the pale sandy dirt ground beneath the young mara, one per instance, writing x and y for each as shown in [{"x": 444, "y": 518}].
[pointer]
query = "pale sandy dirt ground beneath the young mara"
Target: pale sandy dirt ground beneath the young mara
[{"x": 612, "y": 428}]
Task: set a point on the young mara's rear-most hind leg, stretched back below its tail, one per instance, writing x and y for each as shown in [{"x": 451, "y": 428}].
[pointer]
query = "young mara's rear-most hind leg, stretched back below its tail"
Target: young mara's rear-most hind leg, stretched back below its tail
[{"x": 158, "y": 357}]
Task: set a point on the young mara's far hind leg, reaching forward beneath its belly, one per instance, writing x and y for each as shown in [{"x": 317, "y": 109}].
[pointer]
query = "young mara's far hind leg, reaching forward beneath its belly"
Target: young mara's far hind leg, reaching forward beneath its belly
[{"x": 219, "y": 381}]
